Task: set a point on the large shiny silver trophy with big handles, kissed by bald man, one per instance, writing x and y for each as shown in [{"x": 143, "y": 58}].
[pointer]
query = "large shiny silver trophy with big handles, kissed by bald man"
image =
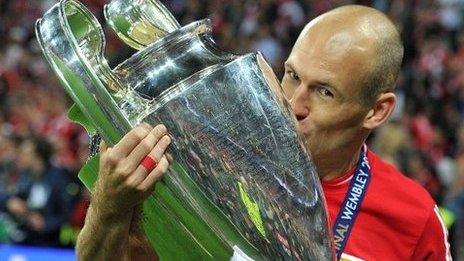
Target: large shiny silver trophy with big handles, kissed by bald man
[{"x": 242, "y": 179}]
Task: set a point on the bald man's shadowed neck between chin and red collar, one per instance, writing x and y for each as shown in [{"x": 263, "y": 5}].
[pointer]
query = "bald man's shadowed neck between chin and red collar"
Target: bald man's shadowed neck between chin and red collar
[{"x": 332, "y": 167}]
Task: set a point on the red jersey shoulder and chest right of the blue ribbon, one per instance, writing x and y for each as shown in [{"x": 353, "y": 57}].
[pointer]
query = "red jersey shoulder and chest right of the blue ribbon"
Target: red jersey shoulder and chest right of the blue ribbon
[{"x": 394, "y": 216}]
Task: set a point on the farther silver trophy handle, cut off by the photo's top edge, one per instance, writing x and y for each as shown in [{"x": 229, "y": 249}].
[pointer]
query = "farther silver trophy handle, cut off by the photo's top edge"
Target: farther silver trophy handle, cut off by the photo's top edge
[{"x": 140, "y": 22}]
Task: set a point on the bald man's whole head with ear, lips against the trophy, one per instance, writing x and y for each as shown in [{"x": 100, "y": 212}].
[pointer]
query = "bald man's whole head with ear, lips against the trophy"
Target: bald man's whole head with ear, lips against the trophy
[{"x": 340, "y": 76}]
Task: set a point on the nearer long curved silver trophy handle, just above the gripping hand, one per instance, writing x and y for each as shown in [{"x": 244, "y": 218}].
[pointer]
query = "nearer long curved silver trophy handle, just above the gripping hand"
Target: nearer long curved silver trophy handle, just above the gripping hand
[{"x": 72, "y": 41}]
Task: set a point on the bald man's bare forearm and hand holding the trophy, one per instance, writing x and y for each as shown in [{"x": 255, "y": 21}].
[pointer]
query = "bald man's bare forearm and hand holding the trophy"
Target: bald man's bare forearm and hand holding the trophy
[{"x": 122, "y": 185}]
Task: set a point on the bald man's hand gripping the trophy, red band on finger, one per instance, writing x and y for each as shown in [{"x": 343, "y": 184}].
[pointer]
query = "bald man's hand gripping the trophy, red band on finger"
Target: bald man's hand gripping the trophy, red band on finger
[{"x": 123, "y": 182}]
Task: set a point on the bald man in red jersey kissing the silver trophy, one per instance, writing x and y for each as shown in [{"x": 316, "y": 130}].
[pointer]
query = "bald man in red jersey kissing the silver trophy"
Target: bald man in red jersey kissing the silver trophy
[{"x": 339, "y": 81}]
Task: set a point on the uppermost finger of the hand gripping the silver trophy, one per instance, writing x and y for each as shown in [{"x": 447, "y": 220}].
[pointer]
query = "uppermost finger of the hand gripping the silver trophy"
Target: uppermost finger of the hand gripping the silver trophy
[{"x": 131, "y": 140}]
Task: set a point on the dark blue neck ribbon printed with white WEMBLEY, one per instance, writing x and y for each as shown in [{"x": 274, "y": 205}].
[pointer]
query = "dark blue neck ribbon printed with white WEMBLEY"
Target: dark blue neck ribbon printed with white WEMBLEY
[{"x": 352, "y": 203}]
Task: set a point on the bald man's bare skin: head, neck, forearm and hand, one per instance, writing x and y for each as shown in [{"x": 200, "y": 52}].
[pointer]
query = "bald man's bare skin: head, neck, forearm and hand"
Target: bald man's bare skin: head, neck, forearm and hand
[{"x": 325, "y": 82}]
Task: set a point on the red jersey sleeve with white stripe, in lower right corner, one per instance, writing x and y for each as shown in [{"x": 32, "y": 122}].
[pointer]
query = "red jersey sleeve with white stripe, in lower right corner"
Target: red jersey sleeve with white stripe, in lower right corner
[{"x": 433, "y": 243}]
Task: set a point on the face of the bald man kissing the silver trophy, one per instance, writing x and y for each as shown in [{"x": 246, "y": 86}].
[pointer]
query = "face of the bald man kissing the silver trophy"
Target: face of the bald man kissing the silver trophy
[{"x": 322, "y": 81}]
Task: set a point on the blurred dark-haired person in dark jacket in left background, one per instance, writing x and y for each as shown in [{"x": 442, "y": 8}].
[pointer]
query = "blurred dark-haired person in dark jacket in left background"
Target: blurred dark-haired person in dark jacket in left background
[{"x": 39, "y": 204}]
